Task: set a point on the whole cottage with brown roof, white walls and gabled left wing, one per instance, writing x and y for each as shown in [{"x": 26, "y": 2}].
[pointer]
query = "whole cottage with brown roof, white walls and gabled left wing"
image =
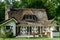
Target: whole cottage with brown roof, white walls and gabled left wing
[{"x": 25, "y": 22}]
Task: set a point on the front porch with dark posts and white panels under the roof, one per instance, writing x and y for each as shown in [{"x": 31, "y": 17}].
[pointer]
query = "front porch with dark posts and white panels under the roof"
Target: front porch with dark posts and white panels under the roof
[{"x": 29, "y": 31}]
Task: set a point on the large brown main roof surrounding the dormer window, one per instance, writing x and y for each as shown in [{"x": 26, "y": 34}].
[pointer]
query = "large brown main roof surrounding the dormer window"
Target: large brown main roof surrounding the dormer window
[{"x": 40, "y": 14}]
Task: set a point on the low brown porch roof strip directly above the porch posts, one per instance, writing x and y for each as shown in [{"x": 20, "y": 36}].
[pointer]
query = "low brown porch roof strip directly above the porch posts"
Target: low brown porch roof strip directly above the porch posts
[{"x": 32, "y": 24}]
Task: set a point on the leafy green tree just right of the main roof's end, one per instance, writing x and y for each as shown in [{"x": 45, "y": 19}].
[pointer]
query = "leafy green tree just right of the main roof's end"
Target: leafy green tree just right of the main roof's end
[{"x": 51, "y": 10}]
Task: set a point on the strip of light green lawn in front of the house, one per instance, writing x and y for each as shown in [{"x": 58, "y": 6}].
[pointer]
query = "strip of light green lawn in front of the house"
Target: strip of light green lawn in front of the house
[{"x": 30, "y": 39}]
